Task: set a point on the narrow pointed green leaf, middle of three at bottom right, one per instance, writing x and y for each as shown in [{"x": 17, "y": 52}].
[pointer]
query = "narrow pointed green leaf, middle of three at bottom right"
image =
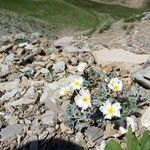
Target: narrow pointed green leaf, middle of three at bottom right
[{"x": 132, "y": 142}]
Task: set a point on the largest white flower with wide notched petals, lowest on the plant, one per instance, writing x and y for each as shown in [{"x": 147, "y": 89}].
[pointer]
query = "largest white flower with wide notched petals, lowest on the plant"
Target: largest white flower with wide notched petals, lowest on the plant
[{"x": 111, "y": 110}]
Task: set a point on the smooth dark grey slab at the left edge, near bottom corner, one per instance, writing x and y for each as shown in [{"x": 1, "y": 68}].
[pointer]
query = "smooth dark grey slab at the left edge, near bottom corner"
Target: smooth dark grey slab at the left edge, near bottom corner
[{"x": 11, "y": 131}]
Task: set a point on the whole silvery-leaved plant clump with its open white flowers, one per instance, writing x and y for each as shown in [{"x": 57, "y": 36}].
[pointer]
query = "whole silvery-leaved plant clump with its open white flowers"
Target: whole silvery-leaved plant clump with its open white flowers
[{"x": 98, "y": 98}]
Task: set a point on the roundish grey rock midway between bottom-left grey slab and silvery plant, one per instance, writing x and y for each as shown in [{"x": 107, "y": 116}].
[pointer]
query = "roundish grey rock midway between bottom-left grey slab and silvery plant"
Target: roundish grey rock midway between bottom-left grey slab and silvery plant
[{"x": 49, "y": 118}]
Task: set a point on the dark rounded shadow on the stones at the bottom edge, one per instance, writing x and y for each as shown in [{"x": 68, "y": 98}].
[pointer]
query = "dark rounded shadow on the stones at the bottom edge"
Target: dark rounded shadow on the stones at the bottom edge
[{"x": 51, "y": 144}]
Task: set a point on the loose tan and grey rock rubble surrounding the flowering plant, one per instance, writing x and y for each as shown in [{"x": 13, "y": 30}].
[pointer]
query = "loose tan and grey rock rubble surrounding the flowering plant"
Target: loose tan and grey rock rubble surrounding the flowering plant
[{"x": 31, "y": 74}]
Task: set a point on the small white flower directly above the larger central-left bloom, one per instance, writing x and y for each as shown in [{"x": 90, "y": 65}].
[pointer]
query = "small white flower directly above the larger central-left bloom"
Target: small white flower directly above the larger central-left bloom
[{"x": 77, "y": 83}]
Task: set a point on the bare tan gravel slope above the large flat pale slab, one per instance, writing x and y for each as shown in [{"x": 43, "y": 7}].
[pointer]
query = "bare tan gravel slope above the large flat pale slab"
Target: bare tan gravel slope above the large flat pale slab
[{"x": 132, "y": 35}]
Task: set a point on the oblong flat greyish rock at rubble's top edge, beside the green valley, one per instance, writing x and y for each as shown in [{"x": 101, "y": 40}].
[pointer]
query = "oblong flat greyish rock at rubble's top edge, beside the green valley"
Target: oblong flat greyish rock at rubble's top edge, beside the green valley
[{"x": 63, "y": 42}]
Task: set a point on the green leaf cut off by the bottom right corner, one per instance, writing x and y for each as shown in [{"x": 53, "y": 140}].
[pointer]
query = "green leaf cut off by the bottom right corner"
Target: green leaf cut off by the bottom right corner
[{"x": 145, "y": 141}]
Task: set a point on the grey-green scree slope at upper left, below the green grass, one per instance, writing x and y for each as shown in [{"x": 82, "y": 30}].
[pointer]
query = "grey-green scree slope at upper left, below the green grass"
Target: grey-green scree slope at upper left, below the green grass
[{"x": 12, "y": 24}]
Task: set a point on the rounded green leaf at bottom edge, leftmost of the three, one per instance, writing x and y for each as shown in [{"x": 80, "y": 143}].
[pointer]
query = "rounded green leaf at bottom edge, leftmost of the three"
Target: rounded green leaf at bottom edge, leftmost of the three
[{"x": 113, "y": 145}]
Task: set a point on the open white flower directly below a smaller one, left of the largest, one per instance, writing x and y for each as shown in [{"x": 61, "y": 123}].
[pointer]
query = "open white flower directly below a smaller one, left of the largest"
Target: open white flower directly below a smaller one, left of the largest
[{"x": 83, "y": 99}]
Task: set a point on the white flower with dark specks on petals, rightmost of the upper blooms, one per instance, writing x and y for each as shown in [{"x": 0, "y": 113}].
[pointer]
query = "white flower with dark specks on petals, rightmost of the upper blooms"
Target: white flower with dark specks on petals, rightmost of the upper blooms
[{"x": 115, "y": 84}]
